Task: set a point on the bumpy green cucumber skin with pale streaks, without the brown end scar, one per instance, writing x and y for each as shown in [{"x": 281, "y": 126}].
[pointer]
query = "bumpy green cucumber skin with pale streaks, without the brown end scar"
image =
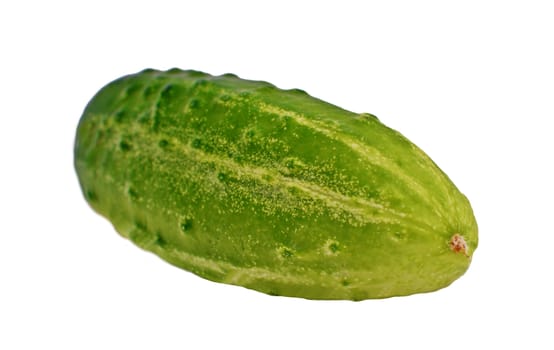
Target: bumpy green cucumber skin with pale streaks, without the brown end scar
[{"x": 243, "y": 183}]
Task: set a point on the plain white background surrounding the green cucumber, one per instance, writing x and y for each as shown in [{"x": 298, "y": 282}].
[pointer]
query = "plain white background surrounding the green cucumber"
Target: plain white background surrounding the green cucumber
[{"x": 470, "y": 82}]
